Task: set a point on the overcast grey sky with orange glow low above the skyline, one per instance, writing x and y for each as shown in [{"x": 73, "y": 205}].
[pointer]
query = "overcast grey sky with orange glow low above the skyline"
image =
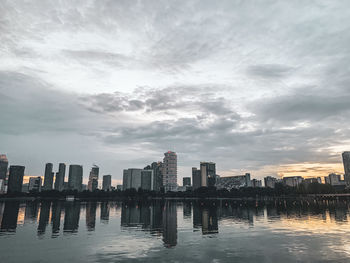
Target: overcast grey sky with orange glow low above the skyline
[{"x": 259, "y": 86}]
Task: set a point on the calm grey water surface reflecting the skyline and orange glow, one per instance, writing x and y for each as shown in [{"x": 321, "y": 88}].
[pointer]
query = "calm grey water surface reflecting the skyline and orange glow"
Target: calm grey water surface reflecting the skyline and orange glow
[{"x": 168, "y": 231}]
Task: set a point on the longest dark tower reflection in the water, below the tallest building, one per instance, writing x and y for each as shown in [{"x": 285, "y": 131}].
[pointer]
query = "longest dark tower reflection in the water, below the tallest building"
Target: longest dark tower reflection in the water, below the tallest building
[{"x": 170, "y": 224}]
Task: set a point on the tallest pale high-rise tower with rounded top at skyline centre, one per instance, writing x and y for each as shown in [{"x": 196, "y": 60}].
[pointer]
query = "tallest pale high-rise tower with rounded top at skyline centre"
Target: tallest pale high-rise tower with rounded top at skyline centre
[{"x": 170, "y": 171}]
